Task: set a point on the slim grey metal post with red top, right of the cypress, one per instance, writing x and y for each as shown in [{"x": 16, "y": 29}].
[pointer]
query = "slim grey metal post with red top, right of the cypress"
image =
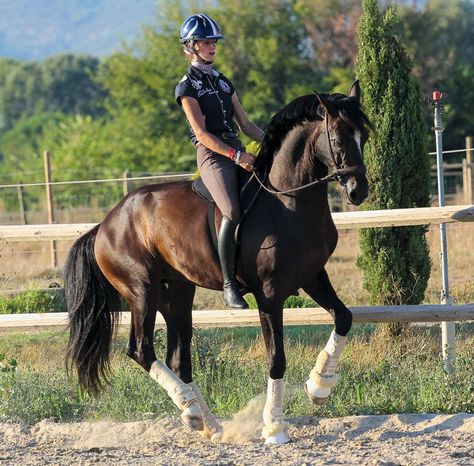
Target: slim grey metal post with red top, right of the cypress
[{"x": 448, "y": 329}]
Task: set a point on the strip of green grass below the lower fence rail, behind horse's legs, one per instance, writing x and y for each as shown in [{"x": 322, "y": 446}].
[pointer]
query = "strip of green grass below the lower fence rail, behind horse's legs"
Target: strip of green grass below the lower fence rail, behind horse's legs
[{"x": 378, "y": 375}]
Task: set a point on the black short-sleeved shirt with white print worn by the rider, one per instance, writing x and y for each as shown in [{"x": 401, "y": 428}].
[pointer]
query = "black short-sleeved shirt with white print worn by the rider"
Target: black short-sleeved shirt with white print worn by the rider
[{"x": 214, "y": 95}]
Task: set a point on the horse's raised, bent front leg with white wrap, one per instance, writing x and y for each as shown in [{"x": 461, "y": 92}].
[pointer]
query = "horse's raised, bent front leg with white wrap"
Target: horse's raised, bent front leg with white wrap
[{"x": 323, "y": 377}]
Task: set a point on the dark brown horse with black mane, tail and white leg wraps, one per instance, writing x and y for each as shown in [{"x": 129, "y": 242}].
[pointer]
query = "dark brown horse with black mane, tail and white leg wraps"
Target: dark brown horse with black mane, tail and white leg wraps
[{"x": 154, "y": 248}]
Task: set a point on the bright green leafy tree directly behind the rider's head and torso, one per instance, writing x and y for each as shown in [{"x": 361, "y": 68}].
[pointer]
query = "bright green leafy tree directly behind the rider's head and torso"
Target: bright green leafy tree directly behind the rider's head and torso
[{"x": 262, "y": 54}]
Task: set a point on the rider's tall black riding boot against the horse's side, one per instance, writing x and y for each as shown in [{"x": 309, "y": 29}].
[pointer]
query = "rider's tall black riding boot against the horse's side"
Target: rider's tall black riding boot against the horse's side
[{"x": 226, "y": 249}]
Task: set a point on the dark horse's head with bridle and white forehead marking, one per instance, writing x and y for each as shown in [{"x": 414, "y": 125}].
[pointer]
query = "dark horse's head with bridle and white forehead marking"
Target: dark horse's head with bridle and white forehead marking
[{"x": 339, "y": 142}]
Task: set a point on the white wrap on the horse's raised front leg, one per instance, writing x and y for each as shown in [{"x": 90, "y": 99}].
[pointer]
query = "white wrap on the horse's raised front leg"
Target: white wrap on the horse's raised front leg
[{"x": 323, "y": 377}]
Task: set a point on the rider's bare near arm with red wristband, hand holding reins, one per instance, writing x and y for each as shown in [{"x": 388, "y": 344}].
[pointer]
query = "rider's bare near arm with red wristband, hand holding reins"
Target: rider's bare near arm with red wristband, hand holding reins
[{"x": 196, "y": 120}]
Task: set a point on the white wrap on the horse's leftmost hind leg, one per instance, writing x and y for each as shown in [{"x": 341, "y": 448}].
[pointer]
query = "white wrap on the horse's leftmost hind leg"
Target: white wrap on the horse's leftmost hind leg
[{"x": 182, "y": 394}]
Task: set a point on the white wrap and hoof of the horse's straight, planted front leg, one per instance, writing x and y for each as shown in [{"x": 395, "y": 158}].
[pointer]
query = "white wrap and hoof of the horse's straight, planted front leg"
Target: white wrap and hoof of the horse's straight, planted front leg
[{"x": 276, "y": 429}]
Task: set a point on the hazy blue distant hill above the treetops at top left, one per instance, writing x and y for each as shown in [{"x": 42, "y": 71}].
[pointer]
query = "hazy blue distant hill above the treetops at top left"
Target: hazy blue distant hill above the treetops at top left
[{"x": 34, "y": 29}]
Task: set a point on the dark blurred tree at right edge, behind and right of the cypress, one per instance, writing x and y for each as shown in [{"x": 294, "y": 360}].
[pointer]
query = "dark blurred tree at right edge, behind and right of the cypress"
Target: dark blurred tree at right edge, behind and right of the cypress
[{"x": 440, "y": 37}]
